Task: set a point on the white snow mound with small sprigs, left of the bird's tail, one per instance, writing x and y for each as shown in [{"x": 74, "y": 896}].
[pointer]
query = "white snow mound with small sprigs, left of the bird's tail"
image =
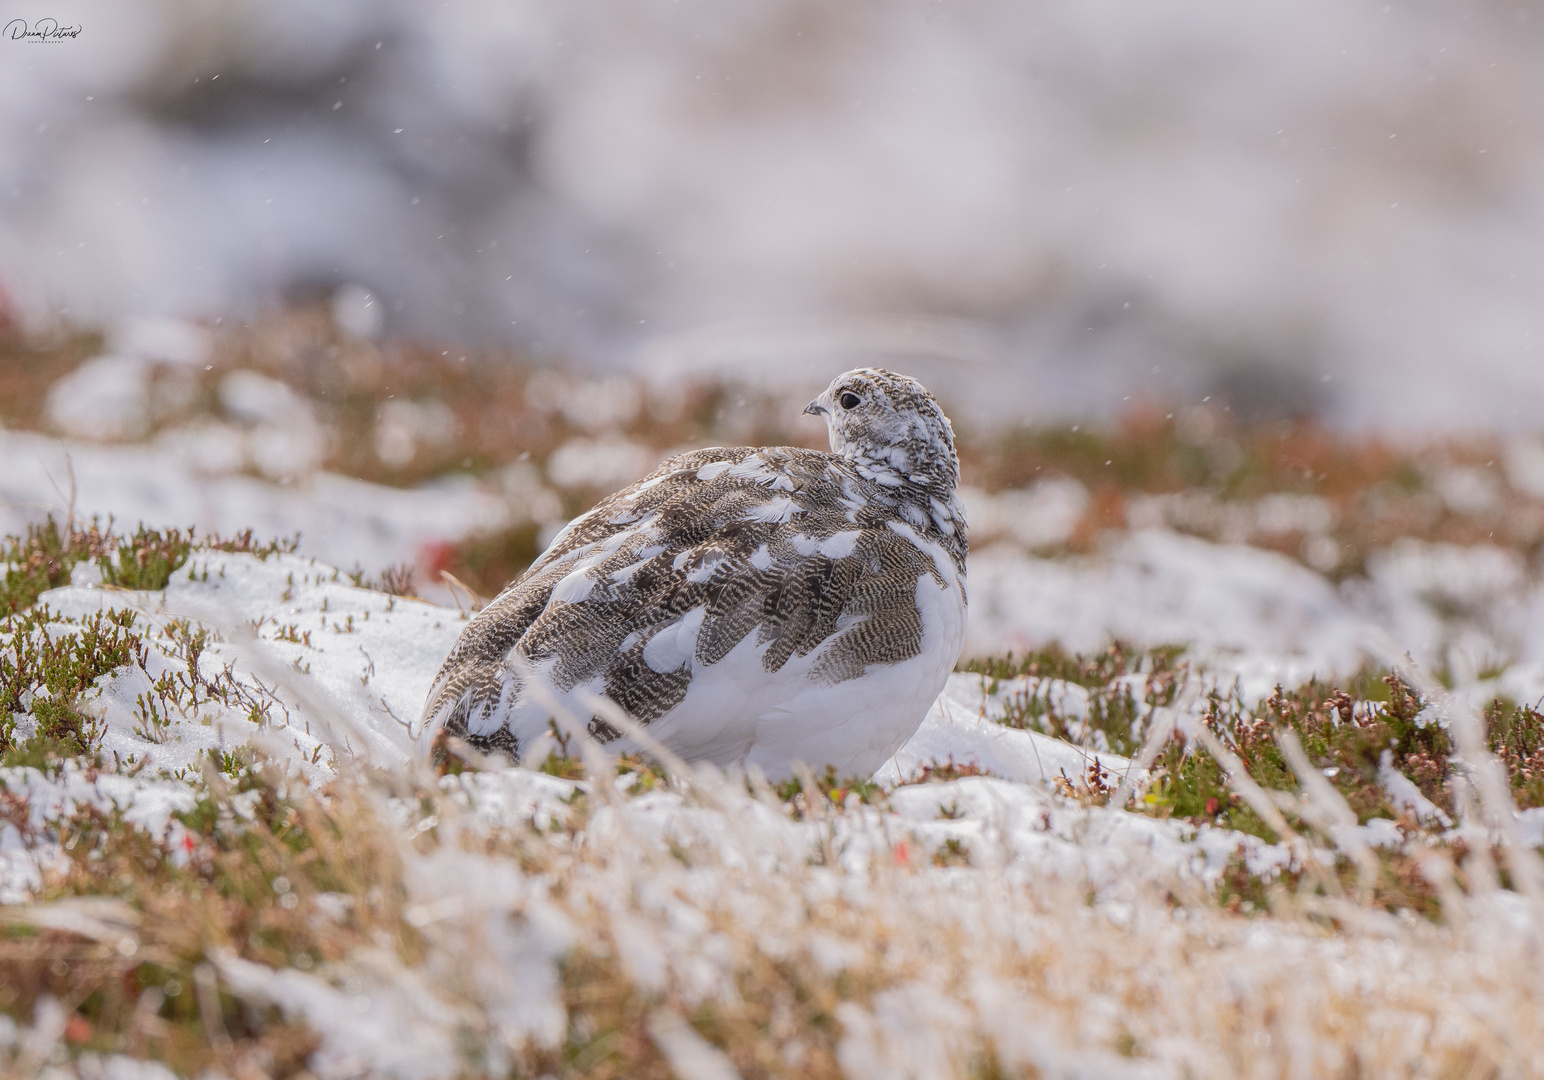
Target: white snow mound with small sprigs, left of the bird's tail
[{"x": 368, "y": 657}]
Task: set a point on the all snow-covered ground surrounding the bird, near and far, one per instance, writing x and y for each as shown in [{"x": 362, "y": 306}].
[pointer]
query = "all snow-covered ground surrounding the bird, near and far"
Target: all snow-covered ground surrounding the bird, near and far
[{"x": 986, "y": 903}]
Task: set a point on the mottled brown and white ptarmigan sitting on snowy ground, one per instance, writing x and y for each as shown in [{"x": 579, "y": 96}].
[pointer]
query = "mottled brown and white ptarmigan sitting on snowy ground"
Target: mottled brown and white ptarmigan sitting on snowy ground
[{"x": 751, "y": 606}]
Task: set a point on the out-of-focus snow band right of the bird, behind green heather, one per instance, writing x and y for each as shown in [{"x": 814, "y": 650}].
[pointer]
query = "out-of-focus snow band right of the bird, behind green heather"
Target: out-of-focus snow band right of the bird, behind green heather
[{"x": 1258, "y": 614}]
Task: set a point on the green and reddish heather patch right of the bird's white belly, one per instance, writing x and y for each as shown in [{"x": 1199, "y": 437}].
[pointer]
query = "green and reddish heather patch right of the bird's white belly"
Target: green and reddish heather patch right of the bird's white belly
[{"x": 1350, "y": 735}]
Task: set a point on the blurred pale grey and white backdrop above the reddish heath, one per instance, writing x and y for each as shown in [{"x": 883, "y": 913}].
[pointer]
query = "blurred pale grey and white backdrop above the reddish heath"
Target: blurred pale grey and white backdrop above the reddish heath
[{"x": 1298, "y": 208}]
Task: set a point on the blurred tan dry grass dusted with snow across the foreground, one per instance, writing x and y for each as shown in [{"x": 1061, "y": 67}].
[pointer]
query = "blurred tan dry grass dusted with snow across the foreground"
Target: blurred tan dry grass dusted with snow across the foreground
[{"x": 799, "y": 939}]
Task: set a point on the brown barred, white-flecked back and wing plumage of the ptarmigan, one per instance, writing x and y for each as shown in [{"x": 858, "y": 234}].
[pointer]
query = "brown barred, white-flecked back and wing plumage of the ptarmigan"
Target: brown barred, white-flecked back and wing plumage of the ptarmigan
[{"x": 683, "y": 566}]
